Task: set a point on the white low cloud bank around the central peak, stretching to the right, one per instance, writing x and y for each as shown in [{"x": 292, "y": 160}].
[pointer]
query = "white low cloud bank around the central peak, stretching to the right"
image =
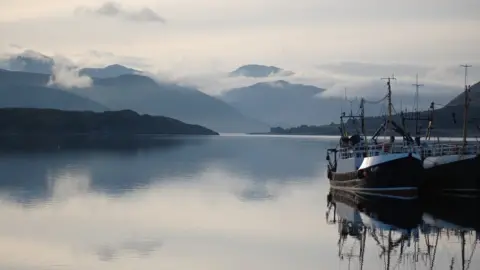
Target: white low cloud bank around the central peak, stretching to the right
[{"x": 361, "y": 79}]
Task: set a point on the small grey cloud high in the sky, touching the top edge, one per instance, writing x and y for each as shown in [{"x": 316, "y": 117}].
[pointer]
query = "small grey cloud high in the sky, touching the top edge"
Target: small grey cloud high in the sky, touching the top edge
[{"x": 116, "y": 10}]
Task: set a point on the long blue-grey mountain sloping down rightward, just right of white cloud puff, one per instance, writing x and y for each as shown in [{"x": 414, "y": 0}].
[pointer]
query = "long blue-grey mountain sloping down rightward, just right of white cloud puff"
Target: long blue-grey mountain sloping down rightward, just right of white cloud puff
[{"x": 144, "y": 95}]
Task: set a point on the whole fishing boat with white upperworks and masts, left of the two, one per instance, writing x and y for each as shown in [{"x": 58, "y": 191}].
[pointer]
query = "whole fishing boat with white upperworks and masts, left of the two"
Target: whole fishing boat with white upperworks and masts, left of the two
[{"x": 375, "y": 168}]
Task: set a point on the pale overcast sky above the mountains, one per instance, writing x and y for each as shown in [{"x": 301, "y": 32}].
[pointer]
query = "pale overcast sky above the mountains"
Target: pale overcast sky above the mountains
[{"x": 184, "y": 36}]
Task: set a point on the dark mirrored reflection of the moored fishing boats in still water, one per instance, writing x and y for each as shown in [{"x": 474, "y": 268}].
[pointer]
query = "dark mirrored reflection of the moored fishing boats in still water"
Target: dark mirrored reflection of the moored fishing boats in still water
[{"x": 399, "y": 234}]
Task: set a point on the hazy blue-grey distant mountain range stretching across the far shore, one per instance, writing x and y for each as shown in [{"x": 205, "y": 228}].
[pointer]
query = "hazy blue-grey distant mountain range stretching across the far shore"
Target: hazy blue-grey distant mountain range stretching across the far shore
[{"x": 245, "y": 109}]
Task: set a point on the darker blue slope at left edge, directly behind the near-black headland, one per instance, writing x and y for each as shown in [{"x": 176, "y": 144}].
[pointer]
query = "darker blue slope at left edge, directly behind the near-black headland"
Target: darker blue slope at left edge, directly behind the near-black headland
[{"x": 29, "y": 90}]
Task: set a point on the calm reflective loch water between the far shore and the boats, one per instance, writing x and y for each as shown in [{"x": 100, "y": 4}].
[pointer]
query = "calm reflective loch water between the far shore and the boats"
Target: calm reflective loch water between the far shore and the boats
[{"x": 228, "y": 202}]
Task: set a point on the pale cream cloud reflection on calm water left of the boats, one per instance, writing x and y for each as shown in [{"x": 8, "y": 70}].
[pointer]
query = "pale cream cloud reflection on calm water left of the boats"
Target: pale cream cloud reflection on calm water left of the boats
[{"x": 200, "y": 224}]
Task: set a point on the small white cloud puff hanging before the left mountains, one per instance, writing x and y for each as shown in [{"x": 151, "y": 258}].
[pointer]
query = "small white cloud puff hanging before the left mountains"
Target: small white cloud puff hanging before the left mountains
[{"x": 66, "y": 75}]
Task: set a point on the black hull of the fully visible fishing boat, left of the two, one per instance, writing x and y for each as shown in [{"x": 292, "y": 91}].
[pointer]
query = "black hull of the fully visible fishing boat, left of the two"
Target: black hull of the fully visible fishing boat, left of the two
[{"x": 399, "y": 178}]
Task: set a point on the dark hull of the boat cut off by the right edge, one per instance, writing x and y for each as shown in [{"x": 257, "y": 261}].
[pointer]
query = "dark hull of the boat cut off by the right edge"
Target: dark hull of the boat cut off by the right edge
[{"x": 458, "y": 177}]
